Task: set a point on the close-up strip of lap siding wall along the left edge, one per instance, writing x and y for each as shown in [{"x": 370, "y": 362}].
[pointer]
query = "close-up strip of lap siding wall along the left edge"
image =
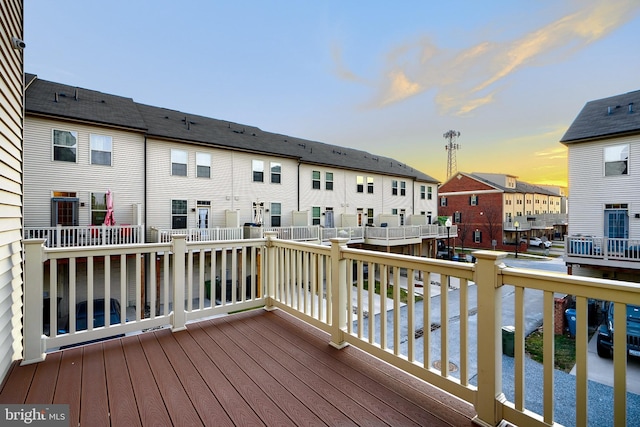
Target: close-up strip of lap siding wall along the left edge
[{"x": 11, "y": 125}]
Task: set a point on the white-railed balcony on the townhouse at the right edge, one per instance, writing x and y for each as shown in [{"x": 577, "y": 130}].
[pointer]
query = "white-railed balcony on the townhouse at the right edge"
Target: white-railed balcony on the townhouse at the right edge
[{"x": 602, "y": 251}]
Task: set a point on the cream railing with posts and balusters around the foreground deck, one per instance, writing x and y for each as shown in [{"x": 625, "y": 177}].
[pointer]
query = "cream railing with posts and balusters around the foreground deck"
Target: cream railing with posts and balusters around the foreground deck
[{"x": 331, "y": 288}]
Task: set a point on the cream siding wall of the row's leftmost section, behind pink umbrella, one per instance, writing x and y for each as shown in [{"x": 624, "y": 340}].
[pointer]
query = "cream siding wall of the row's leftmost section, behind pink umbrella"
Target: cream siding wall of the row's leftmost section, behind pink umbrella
[{"x": 125, "y": 176}]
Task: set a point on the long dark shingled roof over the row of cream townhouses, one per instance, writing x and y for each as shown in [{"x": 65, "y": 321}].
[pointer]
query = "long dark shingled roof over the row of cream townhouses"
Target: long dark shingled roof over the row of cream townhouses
[{"x": 179, "y": 126}]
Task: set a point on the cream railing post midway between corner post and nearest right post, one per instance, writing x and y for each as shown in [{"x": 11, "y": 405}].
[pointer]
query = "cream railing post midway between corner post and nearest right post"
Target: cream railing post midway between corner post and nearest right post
[{"x": 339, "y": 303}]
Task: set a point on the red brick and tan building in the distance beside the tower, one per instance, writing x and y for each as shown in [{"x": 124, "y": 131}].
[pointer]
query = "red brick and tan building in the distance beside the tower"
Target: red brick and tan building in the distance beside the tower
[{"x": 496, "y": 210}]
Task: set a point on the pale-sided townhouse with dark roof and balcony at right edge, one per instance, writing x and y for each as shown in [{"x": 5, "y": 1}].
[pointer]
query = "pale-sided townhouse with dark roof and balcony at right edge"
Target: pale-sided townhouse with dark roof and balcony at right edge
[{"x": 603, "y": 145}]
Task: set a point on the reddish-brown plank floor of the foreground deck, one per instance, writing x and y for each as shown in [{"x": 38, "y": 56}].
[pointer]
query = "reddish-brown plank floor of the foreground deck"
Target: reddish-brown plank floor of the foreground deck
[{"x": 252, "y": 368}]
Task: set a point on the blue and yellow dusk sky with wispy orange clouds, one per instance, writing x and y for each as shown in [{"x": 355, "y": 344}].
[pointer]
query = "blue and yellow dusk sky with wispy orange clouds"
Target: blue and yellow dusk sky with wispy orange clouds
[{"x": 386, "y": 77}]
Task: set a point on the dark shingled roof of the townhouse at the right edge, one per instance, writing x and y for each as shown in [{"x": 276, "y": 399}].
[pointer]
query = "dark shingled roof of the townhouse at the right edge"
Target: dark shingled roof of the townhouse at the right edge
[{"x": 606, "y": 117}]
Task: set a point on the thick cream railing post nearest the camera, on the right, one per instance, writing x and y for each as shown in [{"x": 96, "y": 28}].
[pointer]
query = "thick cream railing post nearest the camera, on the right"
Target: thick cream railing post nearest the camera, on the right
[{"x": 489, "y": 396}]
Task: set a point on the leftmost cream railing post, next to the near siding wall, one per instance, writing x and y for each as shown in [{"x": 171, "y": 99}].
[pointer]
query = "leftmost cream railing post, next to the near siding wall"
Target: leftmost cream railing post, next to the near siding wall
[{"x": 34, "y": 339}]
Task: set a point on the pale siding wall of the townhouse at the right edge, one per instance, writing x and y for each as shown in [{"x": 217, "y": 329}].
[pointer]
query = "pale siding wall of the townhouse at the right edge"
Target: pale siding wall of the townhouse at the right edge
[{"x": 591, "y": 190}]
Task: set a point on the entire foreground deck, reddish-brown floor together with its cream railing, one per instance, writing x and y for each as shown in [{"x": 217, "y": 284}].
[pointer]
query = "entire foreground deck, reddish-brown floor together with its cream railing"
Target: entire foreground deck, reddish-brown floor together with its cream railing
[{"x": 326, "y": 354}]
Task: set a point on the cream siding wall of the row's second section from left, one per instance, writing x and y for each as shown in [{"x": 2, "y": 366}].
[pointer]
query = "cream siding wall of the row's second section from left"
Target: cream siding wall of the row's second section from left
[{"x": 230, "y": 187}]
